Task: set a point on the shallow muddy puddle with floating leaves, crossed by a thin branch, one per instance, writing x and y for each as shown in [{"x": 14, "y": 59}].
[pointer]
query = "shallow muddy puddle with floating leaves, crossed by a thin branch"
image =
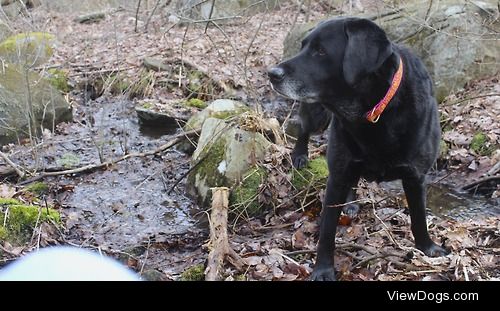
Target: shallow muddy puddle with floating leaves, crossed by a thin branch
[{"x": 128, "y": 203}]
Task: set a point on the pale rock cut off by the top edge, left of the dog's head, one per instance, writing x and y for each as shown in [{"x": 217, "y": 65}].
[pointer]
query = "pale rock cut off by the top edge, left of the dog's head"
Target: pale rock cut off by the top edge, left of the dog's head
[{"x": 202, "y": 9}]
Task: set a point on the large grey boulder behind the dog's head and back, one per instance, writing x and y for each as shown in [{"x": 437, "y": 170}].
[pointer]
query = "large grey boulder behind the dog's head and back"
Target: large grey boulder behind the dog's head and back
[{"x": 458, "y": 43}]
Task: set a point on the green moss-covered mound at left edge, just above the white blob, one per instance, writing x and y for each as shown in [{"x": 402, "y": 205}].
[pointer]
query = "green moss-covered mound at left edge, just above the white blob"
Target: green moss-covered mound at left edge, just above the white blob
[{"x": 20, "y": 219}]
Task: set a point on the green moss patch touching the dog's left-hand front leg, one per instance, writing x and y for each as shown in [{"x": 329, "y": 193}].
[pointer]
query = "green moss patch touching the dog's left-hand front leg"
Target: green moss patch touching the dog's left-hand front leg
[{"x": 316, "y": 173}]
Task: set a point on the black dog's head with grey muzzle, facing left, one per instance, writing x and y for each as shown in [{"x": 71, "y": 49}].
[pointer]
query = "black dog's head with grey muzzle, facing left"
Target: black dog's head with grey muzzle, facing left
[{"x": 334, "y": 58}]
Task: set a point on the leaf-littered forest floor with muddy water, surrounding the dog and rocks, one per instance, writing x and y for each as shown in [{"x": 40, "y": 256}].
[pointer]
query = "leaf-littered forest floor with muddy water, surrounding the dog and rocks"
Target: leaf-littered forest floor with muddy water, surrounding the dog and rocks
[{"x": 132, "y": 210}]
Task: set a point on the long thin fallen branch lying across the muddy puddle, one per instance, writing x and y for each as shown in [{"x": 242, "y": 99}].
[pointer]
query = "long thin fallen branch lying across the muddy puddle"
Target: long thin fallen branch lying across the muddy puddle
[{"x": 92, "y": 167}]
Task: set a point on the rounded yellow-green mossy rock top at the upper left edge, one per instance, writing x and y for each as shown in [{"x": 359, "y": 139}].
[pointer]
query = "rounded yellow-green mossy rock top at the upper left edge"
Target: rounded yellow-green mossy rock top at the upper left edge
[{"x": 30, "y": 49}]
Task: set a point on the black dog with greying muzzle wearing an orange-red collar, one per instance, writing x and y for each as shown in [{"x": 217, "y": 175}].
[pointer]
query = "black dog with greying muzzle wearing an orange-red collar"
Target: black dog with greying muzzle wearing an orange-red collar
[{"x": 350, "y": 67}]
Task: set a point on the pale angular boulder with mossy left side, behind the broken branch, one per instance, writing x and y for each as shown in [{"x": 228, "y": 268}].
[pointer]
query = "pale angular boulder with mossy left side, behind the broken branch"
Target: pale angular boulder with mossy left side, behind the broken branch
[{"x": 223, "y": 156}]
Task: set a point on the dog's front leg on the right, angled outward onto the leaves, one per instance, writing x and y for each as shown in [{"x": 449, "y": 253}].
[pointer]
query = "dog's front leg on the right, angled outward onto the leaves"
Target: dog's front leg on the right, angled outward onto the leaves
[{"x": 416, "y": 196}]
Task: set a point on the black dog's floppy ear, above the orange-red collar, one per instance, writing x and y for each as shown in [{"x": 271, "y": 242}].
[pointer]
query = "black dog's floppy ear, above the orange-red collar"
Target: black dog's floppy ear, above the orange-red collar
[{"x": 366, "y": 50}]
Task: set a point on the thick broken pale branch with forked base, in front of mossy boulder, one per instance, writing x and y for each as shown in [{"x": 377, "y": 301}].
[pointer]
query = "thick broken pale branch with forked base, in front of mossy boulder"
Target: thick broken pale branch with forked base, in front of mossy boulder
[{"x": 219, "y": 241}]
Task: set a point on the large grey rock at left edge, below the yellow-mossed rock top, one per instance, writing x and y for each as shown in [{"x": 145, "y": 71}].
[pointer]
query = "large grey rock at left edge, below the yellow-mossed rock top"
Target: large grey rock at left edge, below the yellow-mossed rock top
[{"x": 27, "y": 101}]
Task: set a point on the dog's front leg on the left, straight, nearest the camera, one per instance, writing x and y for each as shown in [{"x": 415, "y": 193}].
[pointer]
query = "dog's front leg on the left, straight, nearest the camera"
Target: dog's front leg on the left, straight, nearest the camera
[{"x": 336, "y": 194}]
